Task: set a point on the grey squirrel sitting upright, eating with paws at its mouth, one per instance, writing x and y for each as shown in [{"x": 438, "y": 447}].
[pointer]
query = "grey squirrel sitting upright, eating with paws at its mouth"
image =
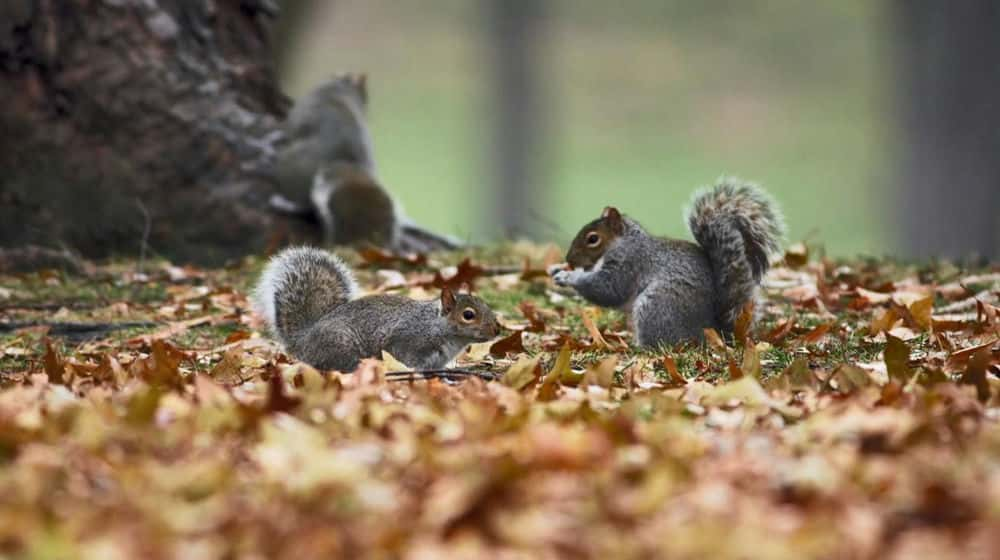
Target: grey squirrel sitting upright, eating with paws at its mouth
[{"x": 673, "y": 289}]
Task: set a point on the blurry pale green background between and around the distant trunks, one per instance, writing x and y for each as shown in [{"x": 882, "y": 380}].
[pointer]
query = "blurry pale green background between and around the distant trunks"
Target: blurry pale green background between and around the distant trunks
[{"x": 645, "y": 101}]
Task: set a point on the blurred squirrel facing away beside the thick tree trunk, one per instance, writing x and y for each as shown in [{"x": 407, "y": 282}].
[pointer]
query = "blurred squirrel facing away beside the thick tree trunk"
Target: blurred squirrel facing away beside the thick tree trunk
[{"x": 326, "y": 170}]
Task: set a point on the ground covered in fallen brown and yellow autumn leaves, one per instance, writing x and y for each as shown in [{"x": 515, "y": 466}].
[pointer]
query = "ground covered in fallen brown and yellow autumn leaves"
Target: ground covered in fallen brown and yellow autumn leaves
[{"x": 144, "y": 415}]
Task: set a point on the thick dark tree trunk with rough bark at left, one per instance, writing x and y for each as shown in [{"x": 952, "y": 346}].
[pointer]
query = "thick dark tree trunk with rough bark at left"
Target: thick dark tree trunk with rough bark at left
[{"x": 126, "y": 123}]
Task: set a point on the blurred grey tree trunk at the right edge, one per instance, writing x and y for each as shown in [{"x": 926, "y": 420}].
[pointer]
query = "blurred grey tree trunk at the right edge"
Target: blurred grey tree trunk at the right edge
[{"x": 948, "y": 57}]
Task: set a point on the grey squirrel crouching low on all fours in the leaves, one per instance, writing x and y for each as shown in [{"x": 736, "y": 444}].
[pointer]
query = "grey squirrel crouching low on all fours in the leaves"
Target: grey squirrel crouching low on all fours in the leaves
[{"x": 309, "y": 299}]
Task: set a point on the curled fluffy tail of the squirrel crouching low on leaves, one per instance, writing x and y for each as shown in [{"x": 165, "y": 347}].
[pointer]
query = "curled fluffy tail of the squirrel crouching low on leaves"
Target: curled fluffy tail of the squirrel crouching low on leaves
[{"x": 299, "y": 286}]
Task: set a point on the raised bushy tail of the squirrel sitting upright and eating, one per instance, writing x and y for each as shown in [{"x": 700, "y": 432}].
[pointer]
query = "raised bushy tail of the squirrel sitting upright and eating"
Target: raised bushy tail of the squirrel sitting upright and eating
[{"x": 740, "y": 228}]
